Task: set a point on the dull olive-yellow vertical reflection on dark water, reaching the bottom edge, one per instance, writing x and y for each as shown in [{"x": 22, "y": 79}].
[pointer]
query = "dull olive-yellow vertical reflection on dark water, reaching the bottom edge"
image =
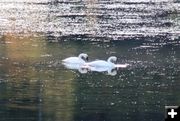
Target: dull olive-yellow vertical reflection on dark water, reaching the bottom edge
[{"x": 59, "y": 96}]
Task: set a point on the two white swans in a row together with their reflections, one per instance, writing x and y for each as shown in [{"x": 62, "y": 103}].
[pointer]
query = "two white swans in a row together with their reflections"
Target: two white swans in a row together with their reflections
[{"x": 80, "y": 63}]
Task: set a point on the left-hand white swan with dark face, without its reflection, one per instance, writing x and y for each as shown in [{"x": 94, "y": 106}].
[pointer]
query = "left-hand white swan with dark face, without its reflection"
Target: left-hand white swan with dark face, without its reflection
[{"x": 81, "y": 59}]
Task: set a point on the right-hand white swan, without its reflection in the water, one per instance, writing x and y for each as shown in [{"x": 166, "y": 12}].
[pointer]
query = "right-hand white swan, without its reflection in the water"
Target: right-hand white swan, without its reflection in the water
[{"x": 102, "y": 63}]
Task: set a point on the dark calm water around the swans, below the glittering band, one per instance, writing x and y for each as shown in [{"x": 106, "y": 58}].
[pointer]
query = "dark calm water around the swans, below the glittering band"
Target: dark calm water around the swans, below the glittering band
[{"x": 34, "y": 85}]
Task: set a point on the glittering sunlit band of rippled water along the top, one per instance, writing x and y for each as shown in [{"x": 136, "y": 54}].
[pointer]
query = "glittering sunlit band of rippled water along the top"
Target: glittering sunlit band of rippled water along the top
[{"x": 94, "y": 19}]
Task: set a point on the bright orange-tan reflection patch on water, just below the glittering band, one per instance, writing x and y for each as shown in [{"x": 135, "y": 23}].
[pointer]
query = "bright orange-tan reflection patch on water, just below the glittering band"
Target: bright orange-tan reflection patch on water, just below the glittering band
[{"x": 26, "y": 47}]
